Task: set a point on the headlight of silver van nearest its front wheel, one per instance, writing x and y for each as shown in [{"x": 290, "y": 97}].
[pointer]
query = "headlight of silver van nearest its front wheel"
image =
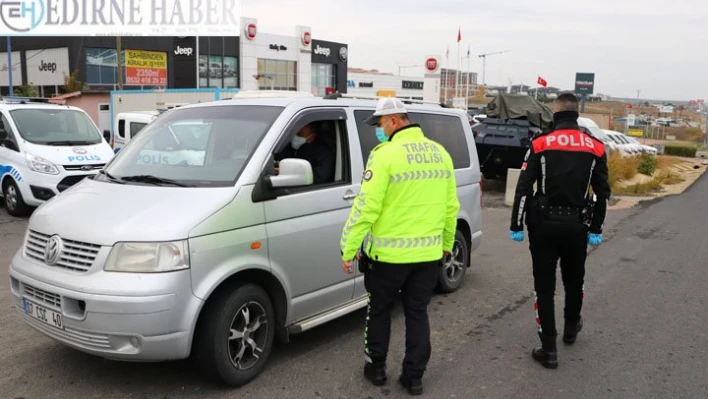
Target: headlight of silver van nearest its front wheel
[{"x": 142, "y": 257}]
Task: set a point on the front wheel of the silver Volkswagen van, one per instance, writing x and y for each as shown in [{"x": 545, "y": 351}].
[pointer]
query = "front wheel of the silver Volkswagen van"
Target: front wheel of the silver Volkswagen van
[{"x": 235, "y": 335}]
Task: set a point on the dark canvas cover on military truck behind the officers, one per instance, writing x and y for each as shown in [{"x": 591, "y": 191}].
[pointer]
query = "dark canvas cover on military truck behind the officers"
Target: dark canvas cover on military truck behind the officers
[{"x": 520, "y": 106}]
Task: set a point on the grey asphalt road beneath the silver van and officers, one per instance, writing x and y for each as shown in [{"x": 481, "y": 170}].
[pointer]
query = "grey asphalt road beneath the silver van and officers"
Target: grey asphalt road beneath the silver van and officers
[{"x": 644, "y": 336}]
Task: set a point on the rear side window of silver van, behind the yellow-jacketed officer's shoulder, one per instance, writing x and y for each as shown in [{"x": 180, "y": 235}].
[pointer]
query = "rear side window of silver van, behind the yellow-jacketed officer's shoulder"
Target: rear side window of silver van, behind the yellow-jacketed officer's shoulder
[{"x": 447, "y": 130}]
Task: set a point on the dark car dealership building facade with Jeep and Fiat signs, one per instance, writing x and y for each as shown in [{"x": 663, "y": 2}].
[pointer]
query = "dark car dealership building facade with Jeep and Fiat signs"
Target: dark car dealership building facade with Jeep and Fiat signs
[{"x": 251, "y": 61}]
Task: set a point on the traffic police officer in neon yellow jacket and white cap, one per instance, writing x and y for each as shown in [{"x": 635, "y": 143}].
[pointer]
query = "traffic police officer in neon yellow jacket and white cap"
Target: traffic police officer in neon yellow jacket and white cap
[{"x": 405, "y": 215}]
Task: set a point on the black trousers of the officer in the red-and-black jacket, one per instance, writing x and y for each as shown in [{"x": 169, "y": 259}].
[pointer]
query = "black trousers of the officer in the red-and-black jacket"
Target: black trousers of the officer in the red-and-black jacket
[{"x": 550, "y": 241}]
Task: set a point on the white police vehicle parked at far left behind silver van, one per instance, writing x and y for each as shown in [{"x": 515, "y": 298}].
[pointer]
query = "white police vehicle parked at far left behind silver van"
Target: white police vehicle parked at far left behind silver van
[{"x": 45, "y": 148}]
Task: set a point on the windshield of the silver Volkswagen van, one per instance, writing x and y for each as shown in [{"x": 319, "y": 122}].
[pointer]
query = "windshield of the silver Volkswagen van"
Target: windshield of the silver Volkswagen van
[{"x": 197, "y": 147}]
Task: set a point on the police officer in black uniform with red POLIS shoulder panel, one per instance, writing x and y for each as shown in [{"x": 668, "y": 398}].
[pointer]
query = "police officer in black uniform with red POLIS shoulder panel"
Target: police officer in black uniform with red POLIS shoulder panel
[{"x": 561, "y": 218}]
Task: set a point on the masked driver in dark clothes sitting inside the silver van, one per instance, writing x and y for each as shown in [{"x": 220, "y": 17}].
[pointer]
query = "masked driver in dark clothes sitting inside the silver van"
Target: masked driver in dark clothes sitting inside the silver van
[{"x": 307, "y": 146}]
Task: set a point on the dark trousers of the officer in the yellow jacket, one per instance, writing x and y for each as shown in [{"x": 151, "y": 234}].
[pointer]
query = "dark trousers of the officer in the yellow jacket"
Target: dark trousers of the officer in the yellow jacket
[{"x": 416, "y": 283}]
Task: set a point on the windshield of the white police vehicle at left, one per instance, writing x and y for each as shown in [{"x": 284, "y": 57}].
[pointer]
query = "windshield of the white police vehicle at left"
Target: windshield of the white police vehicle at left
[{"x": 56, "y": 126}]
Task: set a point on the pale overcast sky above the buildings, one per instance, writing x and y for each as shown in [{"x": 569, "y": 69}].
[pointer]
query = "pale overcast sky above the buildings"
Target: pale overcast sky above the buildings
[{"x": 657, "y": 46}]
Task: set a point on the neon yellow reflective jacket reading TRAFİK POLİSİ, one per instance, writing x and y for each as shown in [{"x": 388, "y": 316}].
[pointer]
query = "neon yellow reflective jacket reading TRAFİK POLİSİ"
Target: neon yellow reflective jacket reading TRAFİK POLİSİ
[{"x": 407, "y": 207}]
